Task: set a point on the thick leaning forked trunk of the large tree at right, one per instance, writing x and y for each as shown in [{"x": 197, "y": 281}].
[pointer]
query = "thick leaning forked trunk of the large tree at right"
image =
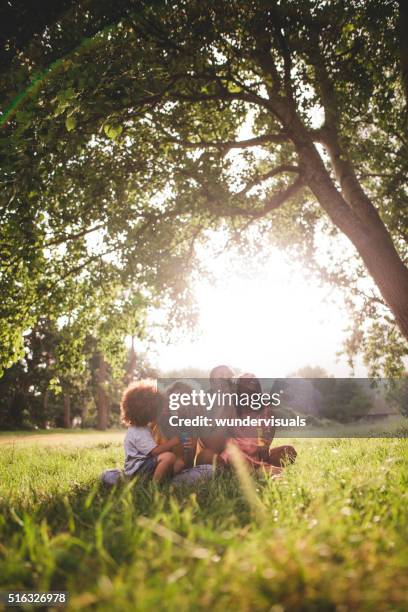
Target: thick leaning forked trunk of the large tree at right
[{"x": 350, "y": 209}]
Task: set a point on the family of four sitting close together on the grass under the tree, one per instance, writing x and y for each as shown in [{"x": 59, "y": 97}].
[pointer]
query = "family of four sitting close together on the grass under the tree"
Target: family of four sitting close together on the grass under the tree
[{"x": 153, "y": 452}]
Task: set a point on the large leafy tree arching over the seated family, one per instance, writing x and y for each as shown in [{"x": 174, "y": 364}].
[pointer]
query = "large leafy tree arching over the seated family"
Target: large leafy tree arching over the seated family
[{"x": 124, "y": 121}]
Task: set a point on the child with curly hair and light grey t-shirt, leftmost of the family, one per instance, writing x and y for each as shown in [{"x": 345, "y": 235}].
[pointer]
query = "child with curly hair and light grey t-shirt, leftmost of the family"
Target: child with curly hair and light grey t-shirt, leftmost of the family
[{"x": 140, "y": 405}]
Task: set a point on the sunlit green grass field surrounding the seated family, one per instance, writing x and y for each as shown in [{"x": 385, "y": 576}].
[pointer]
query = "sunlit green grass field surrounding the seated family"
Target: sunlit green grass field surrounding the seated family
[{"x": 331, "y": 534}]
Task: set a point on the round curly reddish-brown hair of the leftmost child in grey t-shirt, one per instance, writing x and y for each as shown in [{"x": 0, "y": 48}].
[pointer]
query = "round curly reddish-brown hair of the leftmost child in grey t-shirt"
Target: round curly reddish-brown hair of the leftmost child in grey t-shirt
[{"x": 140, "y": 403}]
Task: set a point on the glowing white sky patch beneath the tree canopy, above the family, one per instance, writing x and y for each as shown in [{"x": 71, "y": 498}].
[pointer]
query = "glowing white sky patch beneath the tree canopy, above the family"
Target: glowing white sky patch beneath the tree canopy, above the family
[{"x": 270, "y": 322}]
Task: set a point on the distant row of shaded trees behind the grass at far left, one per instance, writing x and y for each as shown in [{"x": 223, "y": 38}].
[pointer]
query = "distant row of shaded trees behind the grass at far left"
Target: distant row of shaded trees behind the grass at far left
[{"x": 38, "y": 391}]
